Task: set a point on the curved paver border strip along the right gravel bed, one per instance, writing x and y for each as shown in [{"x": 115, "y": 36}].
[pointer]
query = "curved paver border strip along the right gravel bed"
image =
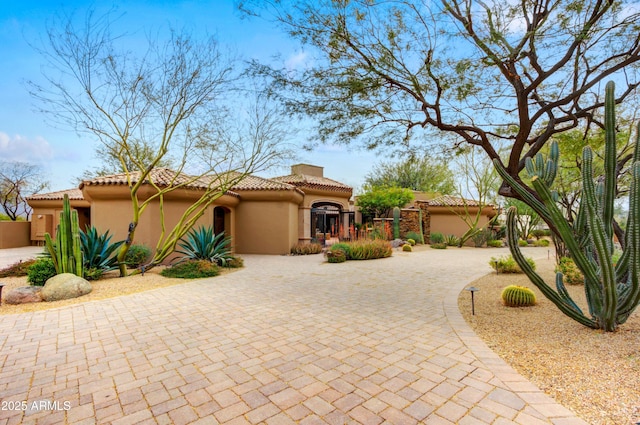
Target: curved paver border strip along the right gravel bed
[{"x": 513, "y": 380}]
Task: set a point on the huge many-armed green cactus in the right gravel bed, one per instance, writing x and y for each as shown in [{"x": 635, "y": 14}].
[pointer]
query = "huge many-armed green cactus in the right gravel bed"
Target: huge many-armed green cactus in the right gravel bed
[{"x": 612, "y": 290}]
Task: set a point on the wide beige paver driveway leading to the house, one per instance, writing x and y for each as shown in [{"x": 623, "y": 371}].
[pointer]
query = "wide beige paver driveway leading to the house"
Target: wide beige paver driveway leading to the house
[{"x": 285, "y": 340}]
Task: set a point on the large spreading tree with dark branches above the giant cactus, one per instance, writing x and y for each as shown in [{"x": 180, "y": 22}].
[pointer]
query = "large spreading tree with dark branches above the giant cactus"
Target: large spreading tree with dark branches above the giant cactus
[{"x": 490, "y": 74}]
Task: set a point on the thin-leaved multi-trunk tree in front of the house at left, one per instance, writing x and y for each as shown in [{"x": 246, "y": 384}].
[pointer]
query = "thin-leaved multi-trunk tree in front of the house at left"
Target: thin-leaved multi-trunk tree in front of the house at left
[{"x": 168, "y": 100}]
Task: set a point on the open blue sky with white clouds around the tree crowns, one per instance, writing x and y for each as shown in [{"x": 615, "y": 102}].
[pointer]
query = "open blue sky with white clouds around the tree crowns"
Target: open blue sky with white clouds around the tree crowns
[{"x": 25, "y": 134}]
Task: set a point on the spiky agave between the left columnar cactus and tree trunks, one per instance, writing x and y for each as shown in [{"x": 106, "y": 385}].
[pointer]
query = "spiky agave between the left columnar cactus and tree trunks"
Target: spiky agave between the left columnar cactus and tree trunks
[{"x": 98, "y": 251}]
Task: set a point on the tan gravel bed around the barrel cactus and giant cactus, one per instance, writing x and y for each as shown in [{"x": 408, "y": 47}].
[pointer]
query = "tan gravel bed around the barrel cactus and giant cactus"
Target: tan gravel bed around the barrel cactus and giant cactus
[{"x": 594, "y": 373}]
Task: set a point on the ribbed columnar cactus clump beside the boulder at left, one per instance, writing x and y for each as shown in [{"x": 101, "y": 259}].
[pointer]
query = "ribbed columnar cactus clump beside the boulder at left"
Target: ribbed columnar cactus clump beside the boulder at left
[{"x": 66, "y": 252}]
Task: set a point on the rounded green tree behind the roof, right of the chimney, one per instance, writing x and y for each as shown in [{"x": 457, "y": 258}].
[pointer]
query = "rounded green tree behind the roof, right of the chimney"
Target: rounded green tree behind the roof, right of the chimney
[{"x": 421, "y": 174}]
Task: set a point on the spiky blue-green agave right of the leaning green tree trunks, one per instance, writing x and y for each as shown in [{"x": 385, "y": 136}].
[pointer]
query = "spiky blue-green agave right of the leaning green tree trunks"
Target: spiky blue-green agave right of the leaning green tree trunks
[{"x": 203, "y": 244}]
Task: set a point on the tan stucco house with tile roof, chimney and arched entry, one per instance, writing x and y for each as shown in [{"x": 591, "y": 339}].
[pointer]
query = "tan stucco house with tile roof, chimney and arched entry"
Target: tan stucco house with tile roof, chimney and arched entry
[{"x": 261, "y": 215}]
